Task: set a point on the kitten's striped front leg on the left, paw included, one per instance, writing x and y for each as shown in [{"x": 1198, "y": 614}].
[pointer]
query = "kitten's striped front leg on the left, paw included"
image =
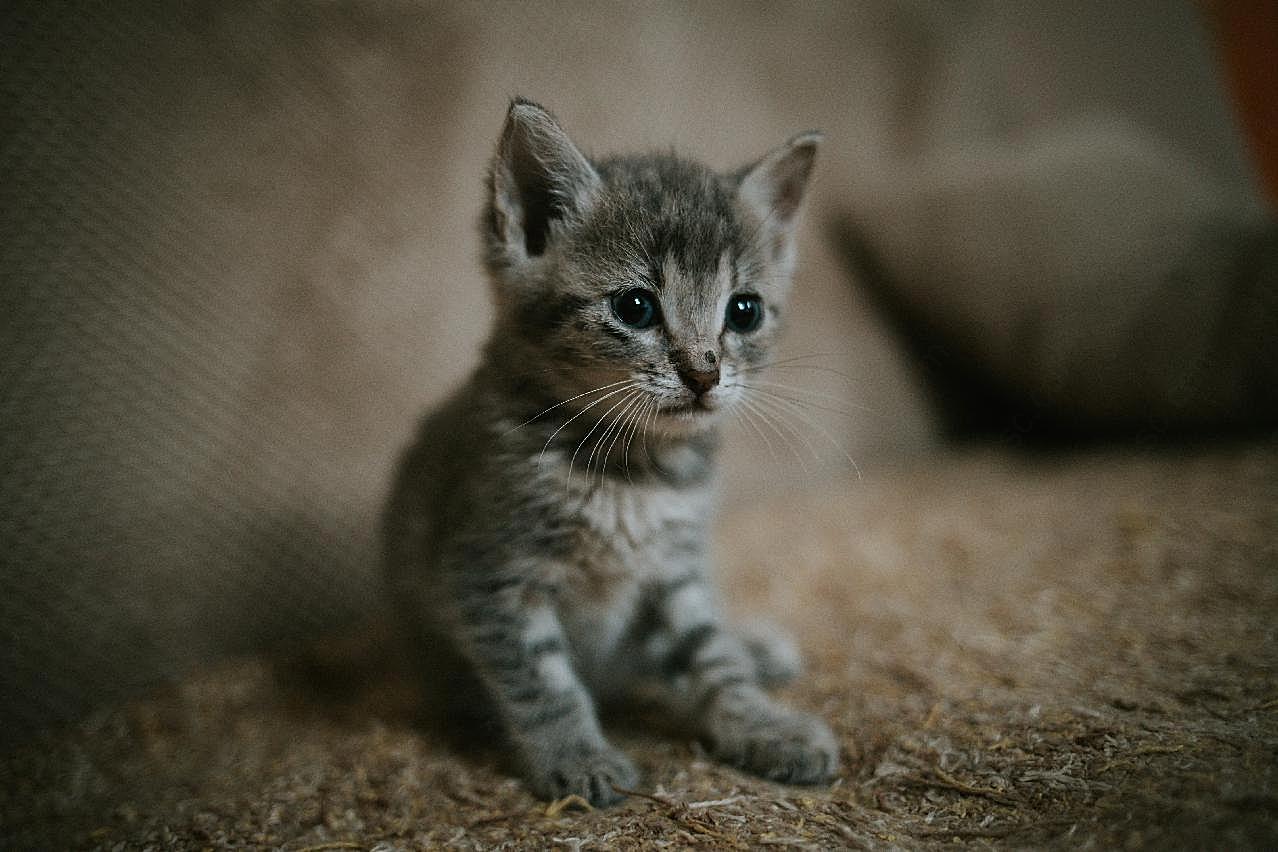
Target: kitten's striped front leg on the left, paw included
[{"x": 521, "y": 656}]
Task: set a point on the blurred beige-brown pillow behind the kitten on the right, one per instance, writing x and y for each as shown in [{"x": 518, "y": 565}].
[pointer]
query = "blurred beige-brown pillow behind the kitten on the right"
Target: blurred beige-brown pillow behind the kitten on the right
[{"x": 1086, "y": 282}]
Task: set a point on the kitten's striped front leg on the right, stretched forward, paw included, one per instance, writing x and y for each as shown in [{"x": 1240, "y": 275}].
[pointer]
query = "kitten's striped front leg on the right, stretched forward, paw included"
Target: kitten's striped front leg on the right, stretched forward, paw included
[{"x": 716, "y": 685}]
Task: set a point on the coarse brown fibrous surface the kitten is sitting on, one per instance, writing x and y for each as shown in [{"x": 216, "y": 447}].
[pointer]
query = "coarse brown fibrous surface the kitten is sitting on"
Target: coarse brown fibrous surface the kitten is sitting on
[{"x": 1077, "y": 652}]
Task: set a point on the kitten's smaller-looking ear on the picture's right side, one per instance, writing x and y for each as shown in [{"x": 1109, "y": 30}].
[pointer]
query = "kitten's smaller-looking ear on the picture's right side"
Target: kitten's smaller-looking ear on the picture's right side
[{"x": 774, "y": 188}]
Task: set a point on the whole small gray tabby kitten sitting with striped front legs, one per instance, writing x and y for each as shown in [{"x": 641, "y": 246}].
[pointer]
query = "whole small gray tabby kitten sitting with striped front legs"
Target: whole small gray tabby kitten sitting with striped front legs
[{"x": 546, "y": 538}]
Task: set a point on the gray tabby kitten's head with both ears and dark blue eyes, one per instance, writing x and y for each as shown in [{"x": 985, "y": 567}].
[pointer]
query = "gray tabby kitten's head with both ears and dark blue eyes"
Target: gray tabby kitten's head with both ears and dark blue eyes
[{"x": 646, "y": 284}]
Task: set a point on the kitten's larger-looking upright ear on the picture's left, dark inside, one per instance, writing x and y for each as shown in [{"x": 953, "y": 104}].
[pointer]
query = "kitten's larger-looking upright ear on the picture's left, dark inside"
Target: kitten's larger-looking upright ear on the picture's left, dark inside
[{"x": 539, "y": 178}]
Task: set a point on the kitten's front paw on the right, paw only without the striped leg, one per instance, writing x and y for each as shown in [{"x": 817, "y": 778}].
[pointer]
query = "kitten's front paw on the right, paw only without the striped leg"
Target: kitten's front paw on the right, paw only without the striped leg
[{"x": 775, "y": 743}]
